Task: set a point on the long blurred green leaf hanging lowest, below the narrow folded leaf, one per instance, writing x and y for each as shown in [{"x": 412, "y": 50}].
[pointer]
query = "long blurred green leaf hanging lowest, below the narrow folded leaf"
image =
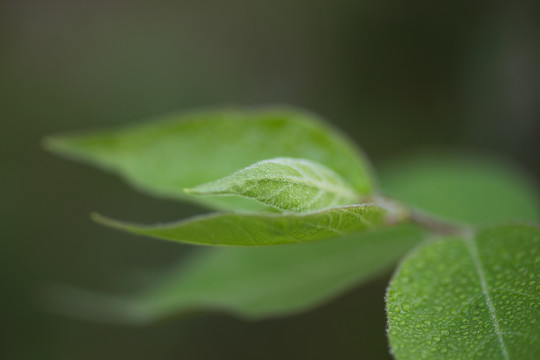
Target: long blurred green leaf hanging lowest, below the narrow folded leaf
[{"x": 251, "y": 282}]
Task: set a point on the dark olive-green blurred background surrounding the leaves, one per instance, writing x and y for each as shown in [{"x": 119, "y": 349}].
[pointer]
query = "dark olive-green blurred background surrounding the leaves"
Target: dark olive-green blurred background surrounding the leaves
[{"x": 394, "y": 75}]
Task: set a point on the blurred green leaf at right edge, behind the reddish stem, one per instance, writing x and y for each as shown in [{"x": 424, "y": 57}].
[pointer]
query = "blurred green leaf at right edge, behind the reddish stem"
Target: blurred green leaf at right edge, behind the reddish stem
[{"x": 463, "y": 187}]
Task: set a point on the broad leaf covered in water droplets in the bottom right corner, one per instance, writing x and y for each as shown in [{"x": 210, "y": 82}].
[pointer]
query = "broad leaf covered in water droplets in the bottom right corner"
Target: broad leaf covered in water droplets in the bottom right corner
[{"x": 475, "y": 298}]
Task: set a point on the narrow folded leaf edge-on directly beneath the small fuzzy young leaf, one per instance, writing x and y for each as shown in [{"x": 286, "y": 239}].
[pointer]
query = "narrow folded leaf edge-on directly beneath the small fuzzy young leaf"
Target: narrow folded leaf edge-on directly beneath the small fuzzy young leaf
[{"x": 258, "y": 229}]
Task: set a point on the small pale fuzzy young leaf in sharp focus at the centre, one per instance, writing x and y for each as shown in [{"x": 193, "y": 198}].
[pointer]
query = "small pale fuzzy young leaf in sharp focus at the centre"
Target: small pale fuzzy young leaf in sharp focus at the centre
[{"x": 292, "y": 185}]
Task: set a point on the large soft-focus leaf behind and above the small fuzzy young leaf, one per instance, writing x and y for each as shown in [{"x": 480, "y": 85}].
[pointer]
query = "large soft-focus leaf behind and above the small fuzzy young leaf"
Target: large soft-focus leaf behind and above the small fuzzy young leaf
[{"x": 182, "y": 151}]
